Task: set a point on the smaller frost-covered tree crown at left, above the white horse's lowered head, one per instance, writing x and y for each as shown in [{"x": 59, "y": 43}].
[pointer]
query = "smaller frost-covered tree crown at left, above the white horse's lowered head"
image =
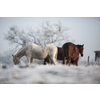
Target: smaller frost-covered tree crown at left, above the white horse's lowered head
[{"x": 17, "y": 37}]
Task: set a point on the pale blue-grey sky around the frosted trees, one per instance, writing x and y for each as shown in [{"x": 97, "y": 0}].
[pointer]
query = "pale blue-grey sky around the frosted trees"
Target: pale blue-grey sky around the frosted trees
[{"x": 84, "y": 30}]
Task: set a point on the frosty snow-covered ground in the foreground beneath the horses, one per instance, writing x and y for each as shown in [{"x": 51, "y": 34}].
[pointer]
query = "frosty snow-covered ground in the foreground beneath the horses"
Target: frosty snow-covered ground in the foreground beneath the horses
[{"x": 50, "y": 74}]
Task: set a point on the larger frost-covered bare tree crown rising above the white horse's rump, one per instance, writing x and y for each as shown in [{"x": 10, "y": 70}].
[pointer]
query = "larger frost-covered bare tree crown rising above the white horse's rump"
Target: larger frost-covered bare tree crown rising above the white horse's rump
[{"x": 47, "y": 33}]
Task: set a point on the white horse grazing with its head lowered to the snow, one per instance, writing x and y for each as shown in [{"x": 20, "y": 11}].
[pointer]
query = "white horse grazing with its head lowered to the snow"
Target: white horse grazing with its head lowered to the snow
[{"x": 38, "y": 52}]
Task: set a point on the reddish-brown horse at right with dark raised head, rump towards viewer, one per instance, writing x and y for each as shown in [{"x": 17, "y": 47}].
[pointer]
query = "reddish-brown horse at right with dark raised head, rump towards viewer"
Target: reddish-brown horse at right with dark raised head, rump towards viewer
[{"x": 71, "y": 53}]
